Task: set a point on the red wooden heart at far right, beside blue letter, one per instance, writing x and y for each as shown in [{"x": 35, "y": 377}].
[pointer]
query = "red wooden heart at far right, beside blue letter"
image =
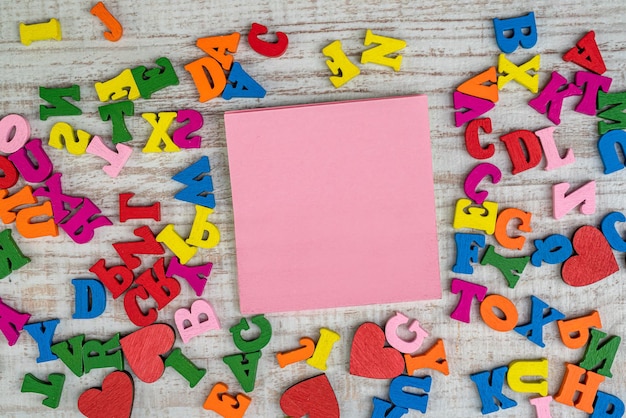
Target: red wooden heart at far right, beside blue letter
[{"x": 594, "y": 260}]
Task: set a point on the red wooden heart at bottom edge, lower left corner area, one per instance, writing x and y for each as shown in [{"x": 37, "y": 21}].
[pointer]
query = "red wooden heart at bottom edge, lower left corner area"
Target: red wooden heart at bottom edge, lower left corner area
[{"x": 114, "y": 400}]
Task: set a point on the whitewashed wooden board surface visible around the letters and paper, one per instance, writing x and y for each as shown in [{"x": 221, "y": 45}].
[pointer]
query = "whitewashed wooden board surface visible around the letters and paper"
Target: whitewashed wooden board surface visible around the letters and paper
[{"x": 447, "y": 43}]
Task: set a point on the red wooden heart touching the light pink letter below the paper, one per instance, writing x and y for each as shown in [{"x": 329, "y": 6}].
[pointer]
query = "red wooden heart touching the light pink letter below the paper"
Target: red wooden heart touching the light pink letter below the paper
[{"x": 370, "y": 358}]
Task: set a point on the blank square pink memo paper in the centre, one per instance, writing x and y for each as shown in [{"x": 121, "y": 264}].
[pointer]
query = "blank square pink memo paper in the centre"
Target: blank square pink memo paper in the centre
[{"x": 333, "y": 204}]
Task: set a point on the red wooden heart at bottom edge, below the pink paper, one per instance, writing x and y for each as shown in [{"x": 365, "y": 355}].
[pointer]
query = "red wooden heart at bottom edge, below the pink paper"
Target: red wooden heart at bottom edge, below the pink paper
[{"x": 313, "y": 397}]
